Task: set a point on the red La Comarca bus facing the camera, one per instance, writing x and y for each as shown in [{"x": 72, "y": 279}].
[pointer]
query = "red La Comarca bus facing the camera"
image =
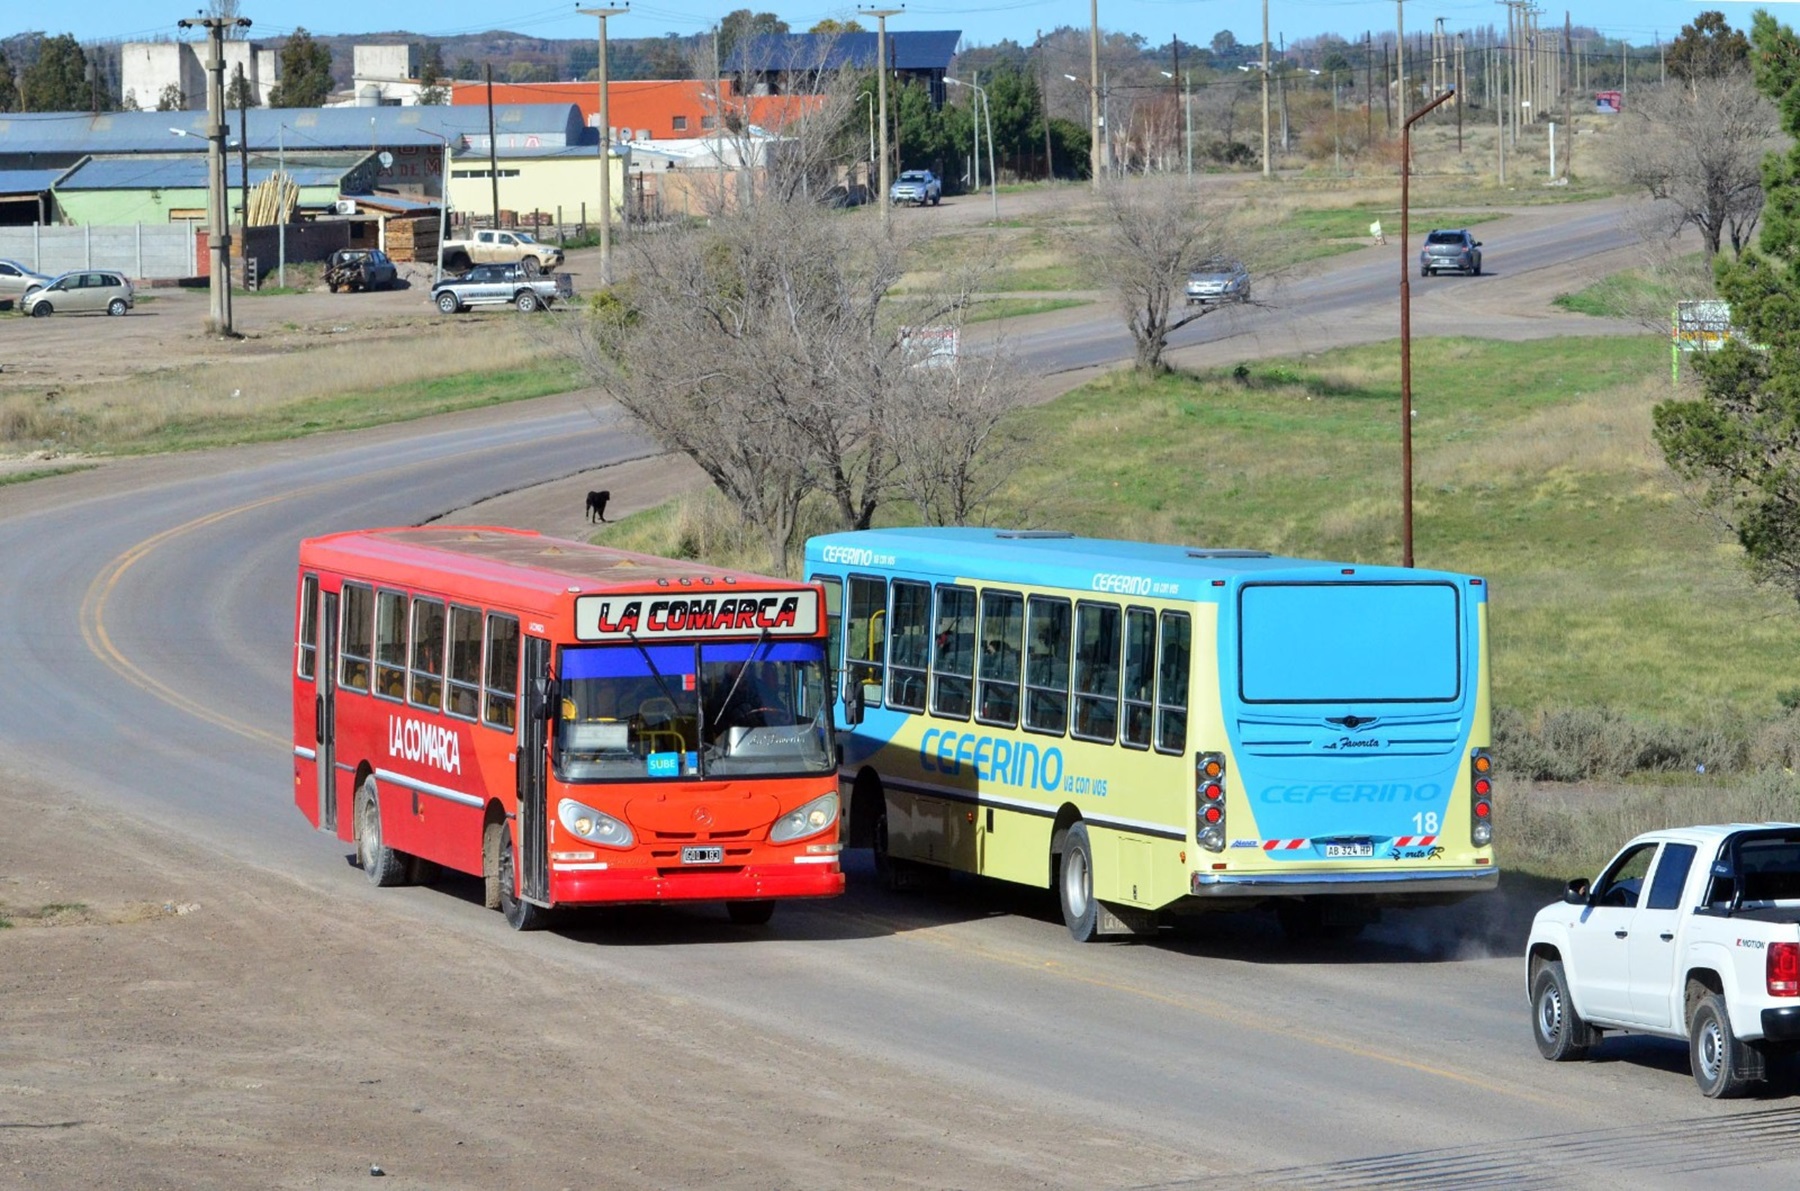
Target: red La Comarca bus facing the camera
[{"x": 573, "y": 724}]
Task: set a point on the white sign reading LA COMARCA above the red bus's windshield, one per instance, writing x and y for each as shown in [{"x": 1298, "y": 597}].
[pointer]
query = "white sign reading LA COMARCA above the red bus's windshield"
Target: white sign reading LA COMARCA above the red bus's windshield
[{"x": 663, "y": 616}]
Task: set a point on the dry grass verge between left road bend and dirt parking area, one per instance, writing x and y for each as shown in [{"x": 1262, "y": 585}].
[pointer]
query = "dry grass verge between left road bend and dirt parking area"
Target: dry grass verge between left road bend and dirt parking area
[{"x": 271, "y": 395}]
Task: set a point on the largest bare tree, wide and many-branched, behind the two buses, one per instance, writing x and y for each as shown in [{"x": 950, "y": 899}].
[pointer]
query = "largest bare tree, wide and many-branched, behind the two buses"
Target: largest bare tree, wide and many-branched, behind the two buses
[{"x": 766, "y": 346}]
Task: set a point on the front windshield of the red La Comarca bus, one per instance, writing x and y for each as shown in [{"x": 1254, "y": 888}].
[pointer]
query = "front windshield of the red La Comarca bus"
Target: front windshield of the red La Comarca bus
[{"x": 633, "y": 713}]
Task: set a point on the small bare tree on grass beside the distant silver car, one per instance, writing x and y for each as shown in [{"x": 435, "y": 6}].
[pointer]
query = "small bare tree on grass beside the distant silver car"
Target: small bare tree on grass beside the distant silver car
[{"x": 1151, "y": 235}]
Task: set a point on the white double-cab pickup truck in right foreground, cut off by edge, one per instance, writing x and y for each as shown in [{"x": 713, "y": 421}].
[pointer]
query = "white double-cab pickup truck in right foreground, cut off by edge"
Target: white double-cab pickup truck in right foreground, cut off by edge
[{"x": 1691, "y": 933}]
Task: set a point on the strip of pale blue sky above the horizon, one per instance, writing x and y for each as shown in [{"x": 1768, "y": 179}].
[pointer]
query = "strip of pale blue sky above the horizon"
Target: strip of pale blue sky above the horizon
[{"x": 982, "y": 22}]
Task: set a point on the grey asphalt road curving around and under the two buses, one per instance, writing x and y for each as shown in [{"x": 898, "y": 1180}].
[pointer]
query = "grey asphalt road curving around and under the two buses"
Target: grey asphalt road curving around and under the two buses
[{"x": 147, "y": 665}]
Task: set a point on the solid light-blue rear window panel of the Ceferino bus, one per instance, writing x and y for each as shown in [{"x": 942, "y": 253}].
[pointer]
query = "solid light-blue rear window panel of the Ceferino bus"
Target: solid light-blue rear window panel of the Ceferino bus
[{"x": 1349, "y": 643}]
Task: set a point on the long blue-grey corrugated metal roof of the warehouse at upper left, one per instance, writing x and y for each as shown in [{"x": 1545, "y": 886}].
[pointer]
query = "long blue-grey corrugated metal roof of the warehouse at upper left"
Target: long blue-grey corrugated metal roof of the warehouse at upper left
[{"x": 300, "y": 129}]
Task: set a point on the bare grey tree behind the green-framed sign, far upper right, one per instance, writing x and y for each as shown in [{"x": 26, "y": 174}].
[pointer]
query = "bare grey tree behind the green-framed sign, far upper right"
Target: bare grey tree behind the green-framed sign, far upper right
[{"x": 1700, "y": 152}]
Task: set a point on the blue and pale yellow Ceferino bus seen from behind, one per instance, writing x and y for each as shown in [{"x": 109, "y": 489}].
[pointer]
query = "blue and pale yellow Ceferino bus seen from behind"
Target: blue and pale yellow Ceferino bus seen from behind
[{"x": 1155, "y": 728}]
